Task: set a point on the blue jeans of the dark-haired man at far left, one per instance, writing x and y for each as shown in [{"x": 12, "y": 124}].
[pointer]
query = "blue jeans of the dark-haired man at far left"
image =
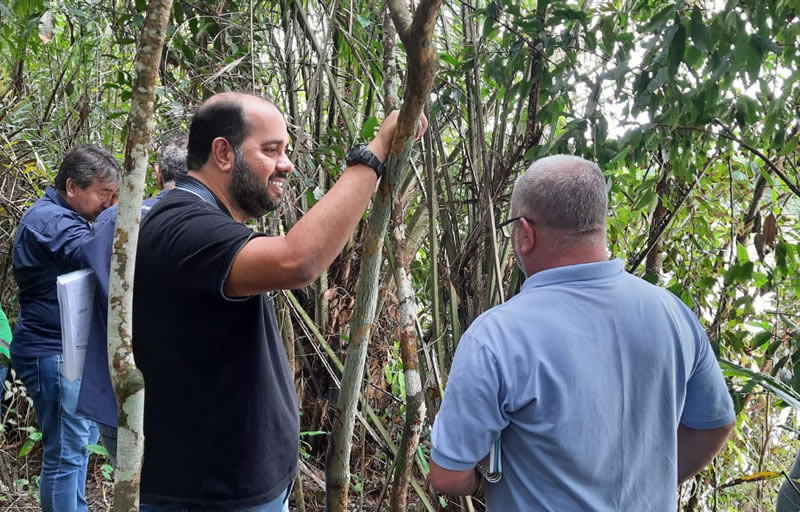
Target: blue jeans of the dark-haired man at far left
[{"x": 64, "y": 434}]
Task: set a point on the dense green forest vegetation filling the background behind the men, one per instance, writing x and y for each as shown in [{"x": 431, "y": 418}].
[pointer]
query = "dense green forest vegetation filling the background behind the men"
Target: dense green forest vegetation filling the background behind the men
[{"x": 690, "y": 108}]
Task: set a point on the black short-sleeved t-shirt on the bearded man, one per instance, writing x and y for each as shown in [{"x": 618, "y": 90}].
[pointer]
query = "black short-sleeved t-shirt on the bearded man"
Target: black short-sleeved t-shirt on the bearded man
[{"x": 221, "y": 422}]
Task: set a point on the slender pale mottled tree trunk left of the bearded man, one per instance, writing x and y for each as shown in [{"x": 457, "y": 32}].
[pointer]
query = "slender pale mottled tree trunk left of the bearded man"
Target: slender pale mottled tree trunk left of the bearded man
[{"x": 127, "y": 379}]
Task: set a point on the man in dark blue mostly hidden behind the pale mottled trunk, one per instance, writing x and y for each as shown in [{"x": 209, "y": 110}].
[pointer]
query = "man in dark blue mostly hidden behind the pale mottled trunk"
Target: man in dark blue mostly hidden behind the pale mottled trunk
[{"x": 96, "y": 401}]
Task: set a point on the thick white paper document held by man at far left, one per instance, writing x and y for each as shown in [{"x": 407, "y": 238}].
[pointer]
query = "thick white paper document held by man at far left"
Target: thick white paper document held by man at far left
[{"x": 76, "y": 302}]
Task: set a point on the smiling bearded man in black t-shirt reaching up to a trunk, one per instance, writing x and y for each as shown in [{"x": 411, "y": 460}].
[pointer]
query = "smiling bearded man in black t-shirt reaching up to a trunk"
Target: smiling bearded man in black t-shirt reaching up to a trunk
[{"x": 221, "y": 419}]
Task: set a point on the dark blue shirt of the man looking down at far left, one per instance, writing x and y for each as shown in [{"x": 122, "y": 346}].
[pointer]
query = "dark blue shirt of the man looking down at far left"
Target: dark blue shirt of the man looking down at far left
[{"x": 47, "y": 245}]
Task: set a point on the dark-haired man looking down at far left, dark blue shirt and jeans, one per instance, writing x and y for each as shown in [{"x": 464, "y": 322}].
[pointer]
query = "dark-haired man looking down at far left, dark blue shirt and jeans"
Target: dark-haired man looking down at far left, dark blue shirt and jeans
[{"x": 47, "y": 245}]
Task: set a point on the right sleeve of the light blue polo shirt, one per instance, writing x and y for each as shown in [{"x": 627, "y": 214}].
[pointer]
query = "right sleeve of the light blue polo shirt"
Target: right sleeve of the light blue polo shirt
[{"x": 708, "y": 404}]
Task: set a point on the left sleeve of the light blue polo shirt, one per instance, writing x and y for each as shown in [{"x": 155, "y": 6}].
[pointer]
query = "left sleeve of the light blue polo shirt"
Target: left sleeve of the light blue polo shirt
[{"x": 472, "y": 413}]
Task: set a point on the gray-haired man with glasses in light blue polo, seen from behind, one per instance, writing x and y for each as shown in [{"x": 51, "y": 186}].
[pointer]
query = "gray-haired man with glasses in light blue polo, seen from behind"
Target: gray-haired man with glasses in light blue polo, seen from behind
[{"x": 602, "y": 389}]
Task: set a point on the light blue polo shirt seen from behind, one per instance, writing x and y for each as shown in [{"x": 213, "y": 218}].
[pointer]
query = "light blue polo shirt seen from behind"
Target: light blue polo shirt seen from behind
[{"x": 585, "y": 375}]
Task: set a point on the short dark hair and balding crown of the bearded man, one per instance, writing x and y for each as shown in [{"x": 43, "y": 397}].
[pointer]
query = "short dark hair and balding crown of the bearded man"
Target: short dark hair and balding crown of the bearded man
[{"x": 222, "y": 115}]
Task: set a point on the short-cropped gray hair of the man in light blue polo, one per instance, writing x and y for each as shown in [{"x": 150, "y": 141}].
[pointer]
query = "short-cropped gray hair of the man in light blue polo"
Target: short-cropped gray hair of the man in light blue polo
[{"x": 562, "y": 191}]
